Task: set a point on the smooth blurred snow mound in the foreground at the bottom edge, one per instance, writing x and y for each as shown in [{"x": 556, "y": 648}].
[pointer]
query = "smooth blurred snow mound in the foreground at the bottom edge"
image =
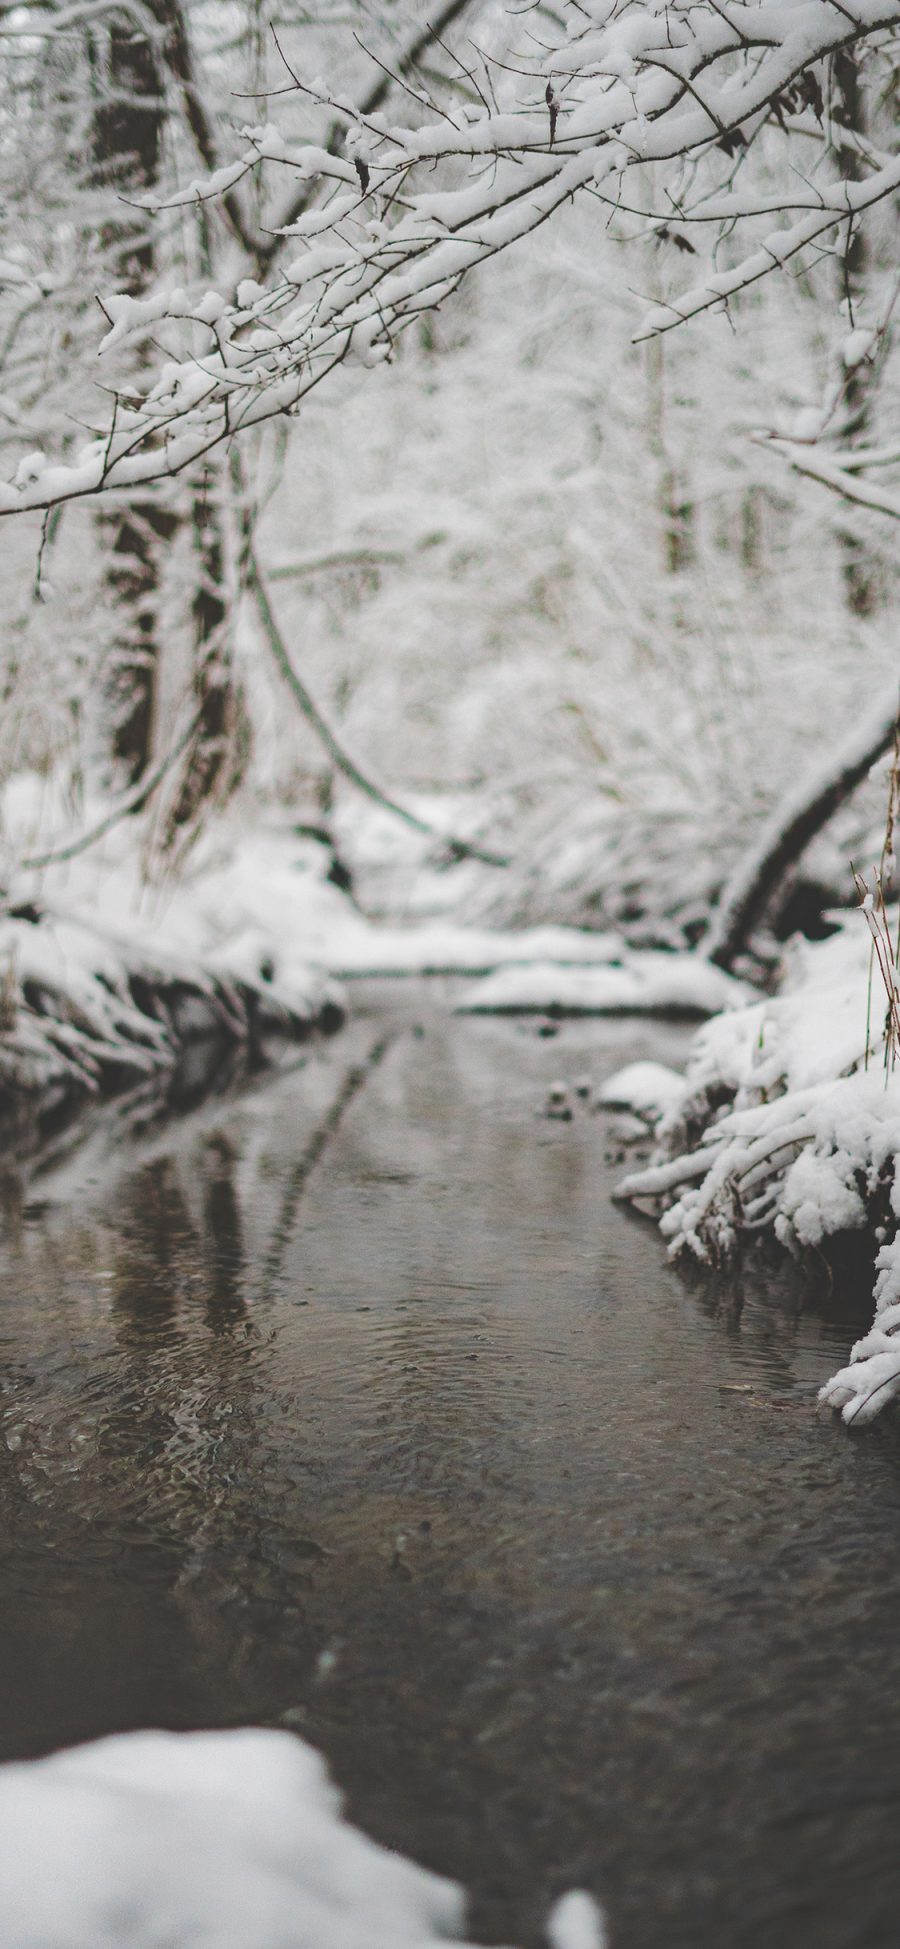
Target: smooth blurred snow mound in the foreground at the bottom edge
[{"x": 213, "y": 1841}]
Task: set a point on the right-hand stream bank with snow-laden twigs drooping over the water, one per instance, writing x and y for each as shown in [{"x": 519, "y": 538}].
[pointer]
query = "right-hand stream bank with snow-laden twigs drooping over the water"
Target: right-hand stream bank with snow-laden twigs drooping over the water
[{"x": 788, "y": 1126}]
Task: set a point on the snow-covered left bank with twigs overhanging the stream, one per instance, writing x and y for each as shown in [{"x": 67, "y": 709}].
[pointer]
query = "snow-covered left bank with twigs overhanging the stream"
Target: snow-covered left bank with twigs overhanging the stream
[{"x": 108, "y": 981}]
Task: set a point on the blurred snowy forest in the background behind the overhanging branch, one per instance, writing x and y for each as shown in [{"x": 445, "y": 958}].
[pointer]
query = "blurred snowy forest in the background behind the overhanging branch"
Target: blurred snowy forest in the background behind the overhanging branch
[{"x": 548, "y": 584}]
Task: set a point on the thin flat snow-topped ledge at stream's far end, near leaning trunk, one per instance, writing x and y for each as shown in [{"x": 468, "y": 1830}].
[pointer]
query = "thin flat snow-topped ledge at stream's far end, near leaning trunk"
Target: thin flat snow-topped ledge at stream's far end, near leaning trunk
[{"x": 636, "y": 983}]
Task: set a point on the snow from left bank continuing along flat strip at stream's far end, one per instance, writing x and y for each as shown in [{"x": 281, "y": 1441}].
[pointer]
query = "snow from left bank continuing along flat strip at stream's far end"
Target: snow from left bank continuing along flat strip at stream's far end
[{"x": 112, "y": 964}]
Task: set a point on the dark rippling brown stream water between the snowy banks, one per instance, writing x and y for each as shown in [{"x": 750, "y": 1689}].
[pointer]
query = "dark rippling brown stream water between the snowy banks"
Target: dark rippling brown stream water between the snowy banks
[{"x": 354, "y": 1404}]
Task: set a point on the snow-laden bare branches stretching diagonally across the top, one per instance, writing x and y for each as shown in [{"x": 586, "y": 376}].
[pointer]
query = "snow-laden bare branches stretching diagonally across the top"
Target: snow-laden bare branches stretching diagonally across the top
[{"x": 675, "y": 91}]
